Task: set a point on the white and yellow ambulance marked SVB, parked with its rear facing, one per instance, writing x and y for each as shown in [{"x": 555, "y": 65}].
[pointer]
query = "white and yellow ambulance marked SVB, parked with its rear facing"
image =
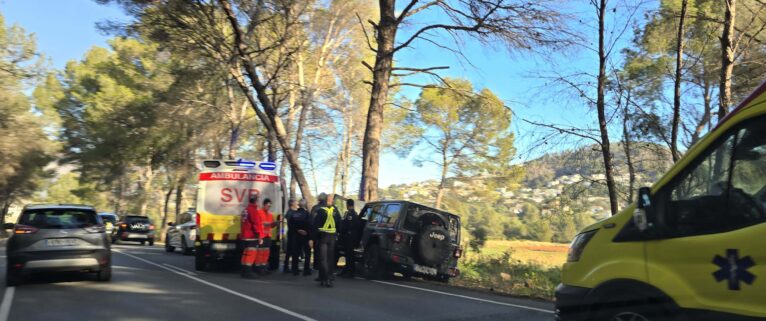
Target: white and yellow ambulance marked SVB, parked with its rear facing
[{"x": 223, "y": 192}]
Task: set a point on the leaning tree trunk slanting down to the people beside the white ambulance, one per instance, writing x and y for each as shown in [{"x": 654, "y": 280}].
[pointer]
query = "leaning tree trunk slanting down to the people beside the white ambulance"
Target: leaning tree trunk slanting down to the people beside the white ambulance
[{"x": 269, "y": 116}]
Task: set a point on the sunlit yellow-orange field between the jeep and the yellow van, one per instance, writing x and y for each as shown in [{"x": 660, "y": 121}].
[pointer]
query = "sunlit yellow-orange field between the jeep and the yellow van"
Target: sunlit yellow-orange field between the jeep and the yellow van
[{"x": 546, "y": 255}]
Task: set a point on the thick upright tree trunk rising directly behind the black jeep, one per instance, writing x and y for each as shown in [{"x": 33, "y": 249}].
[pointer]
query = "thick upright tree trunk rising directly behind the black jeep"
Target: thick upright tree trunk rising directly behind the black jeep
[{"x": 381, "y": 74}]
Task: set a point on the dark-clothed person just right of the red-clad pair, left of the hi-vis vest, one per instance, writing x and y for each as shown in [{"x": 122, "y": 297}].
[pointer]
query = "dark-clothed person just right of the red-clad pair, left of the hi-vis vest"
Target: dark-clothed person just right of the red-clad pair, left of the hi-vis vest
[{"x": 300, "y": 224}]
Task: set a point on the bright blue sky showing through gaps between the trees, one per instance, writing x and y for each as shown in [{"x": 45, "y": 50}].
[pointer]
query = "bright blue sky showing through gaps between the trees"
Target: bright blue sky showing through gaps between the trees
[{"x": 65, "y": 30}]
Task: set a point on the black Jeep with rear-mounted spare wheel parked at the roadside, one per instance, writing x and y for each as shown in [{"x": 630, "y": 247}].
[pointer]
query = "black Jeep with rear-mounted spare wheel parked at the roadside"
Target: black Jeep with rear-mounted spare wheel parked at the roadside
[{"x": 409, "y": 238}]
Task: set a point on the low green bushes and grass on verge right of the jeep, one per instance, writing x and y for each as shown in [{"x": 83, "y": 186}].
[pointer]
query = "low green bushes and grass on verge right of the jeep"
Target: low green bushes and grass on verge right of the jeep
[{"x": 502, "y": 273}]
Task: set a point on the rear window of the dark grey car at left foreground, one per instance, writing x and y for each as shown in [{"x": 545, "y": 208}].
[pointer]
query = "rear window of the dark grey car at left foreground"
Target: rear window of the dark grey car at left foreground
[{"x": 58, "y": 218}]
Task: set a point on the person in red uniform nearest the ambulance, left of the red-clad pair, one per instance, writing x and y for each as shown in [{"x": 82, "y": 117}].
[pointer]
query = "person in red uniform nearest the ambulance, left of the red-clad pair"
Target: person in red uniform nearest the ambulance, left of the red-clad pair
[{"x": 251, "y": 232}]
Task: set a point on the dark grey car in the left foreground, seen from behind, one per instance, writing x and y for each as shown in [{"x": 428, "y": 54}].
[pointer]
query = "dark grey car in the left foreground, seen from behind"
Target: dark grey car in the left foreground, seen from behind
[{"x": 57, "y": 238}]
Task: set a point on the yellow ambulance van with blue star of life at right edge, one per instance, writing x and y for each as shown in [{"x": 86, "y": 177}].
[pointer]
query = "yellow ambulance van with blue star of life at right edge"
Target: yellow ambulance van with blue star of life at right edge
[{"x": 692, "y": 247}]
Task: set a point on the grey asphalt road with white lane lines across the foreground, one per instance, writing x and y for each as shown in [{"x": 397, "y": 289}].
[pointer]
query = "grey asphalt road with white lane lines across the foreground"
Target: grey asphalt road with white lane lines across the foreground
[{"x": 150, "y": 284}]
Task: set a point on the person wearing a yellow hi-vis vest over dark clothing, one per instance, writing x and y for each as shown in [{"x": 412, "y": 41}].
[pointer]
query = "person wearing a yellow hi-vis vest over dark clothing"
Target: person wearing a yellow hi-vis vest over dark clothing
[{"x": 325, "y": 231}]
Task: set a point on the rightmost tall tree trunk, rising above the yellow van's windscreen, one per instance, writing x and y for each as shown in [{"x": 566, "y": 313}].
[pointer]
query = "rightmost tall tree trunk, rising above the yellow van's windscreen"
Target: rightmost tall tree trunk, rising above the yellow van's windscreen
[{"x": 727, "y": 58}]
